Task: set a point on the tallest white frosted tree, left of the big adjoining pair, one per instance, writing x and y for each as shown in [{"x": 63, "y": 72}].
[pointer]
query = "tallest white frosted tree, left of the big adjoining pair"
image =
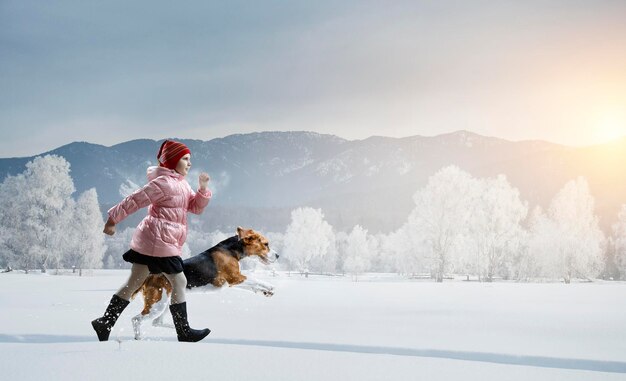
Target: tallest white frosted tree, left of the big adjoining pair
[{"x": 439, "y": 220}]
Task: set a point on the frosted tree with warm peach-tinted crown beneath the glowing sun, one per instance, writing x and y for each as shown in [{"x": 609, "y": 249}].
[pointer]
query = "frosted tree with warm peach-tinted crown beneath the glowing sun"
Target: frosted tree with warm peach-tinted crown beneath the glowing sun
[{"x": 579, "y": 238}]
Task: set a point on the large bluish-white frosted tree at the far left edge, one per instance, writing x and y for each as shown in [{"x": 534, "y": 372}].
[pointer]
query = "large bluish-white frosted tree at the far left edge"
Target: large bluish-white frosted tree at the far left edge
[{"x": 38, "y": 208}]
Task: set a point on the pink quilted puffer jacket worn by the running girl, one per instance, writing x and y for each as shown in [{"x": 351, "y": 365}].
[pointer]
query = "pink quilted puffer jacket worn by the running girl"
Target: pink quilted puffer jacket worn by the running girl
[{"x": 164, "y": 230}]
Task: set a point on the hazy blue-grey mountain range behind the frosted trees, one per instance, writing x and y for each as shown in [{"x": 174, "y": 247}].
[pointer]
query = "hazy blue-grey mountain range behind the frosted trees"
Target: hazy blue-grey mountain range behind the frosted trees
[{"x": 258, "y": 178}]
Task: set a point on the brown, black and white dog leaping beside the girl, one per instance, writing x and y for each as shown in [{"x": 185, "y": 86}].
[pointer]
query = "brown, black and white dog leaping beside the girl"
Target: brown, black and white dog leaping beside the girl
[{"x": 209, "y": 270}]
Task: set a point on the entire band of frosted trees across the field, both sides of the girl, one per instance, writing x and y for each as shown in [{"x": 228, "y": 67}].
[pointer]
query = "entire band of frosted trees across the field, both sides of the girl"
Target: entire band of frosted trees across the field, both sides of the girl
[{"x": 460, "y": 225}]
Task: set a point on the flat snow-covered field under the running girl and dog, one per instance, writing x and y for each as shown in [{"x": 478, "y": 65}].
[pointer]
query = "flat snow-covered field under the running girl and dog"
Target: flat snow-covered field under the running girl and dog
[{"x": 380, "y": 328}]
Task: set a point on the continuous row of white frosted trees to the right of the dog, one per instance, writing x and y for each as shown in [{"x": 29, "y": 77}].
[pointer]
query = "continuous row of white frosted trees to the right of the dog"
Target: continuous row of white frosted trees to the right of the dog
[{"x": 474, "y": 227}]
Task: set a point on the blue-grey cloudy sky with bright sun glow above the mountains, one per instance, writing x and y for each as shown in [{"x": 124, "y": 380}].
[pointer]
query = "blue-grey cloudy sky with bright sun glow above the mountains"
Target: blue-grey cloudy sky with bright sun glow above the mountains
[{"x": 108, "y": 72}]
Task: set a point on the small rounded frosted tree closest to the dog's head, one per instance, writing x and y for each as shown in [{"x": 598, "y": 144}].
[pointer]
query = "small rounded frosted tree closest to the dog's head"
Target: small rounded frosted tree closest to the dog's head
[{"x": 308, "y": 238}]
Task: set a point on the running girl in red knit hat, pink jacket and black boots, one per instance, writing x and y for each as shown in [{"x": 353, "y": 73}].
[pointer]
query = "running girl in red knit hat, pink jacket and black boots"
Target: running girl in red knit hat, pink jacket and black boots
[{"x": 157, "y": 243}]
